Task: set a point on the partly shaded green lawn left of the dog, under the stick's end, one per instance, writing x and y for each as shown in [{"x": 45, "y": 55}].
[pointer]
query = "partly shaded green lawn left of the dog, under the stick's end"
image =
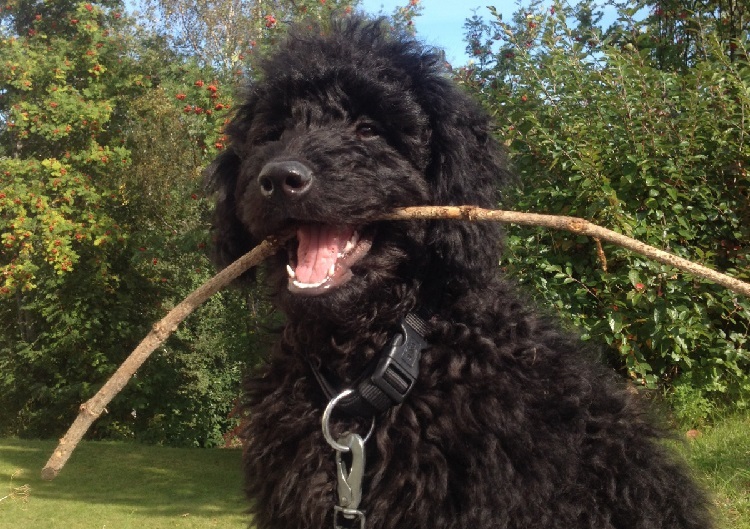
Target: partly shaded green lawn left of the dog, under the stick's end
[{"x": 121, "y": 486}]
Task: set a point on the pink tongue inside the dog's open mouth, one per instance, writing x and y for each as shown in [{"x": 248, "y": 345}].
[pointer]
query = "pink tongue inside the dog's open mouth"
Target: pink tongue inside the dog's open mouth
[{"x": 319, "y": 246}]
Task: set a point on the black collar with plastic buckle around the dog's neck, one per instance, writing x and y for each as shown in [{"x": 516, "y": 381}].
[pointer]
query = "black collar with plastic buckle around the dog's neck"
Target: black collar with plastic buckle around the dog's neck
[{"x": 395, "y": 371}]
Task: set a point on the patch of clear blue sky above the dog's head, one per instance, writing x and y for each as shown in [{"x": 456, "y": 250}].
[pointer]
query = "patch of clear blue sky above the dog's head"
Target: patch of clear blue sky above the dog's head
[{"x": 442, "y": 21}]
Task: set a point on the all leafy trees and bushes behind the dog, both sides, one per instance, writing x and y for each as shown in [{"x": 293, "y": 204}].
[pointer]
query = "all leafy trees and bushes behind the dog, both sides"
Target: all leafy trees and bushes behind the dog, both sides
[{"x": 108, "y": 118}]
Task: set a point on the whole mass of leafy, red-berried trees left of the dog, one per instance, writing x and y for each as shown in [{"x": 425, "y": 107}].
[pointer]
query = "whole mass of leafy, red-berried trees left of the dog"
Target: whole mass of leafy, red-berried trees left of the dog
[{"x": 103, "y": 222}]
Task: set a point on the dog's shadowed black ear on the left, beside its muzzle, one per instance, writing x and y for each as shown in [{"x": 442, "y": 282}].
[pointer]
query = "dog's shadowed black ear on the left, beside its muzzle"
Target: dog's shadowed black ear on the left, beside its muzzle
[{"x": 229, "y": 237}]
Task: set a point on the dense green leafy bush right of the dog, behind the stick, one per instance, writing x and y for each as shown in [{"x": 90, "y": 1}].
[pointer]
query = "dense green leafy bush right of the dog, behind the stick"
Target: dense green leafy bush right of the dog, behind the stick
[{"x": 598, "y": 129}]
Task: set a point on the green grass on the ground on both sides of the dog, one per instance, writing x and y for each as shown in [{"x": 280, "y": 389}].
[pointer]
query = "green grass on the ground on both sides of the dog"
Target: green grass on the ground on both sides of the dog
[{"x": 132, "y": 486}]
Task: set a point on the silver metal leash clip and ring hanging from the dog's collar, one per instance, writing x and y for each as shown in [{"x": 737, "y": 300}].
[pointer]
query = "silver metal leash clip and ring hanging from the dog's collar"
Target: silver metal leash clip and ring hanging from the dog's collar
[{"x": 349, "y": 480}]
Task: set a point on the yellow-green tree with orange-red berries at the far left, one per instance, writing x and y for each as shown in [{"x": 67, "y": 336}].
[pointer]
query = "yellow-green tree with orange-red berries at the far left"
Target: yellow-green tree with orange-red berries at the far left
[{"x": 57, "y": 116}]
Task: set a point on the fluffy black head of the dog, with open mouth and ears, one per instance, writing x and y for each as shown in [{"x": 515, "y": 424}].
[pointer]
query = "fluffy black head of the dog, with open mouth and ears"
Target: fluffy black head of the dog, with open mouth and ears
[{"x": 341, "y": 128}]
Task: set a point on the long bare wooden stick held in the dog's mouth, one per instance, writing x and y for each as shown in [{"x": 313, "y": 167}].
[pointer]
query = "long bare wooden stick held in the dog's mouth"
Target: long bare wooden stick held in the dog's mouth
[{"x": 94, "y": 407}]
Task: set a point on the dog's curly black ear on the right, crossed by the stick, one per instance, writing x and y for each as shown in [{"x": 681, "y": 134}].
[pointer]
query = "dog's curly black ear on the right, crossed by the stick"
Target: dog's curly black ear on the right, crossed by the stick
[{"x": 467, "y": 167}]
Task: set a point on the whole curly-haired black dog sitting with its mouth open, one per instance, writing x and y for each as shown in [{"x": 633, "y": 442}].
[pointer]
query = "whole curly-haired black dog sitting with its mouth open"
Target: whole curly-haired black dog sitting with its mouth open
[{"x": 505, "y": 421}]
